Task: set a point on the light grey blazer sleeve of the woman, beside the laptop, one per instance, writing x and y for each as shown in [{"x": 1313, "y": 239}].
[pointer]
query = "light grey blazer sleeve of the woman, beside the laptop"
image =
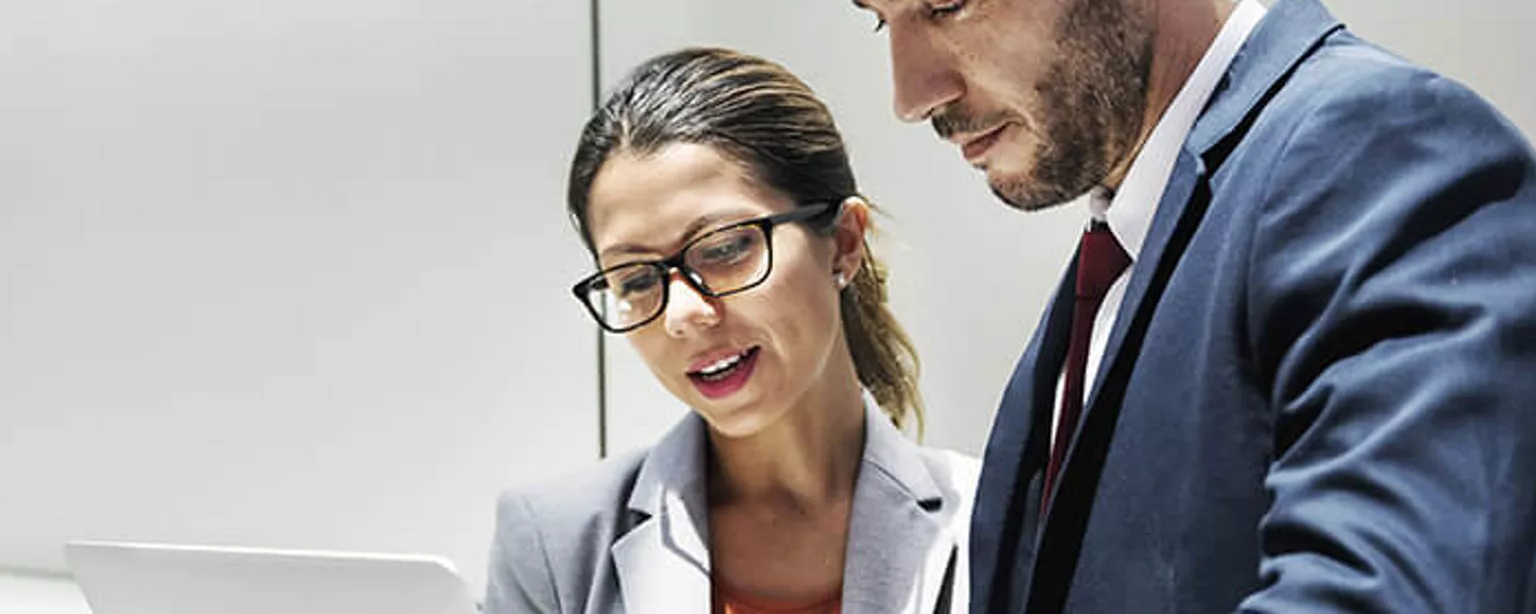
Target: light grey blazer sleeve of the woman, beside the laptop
[{"x": 520, "y": 579}]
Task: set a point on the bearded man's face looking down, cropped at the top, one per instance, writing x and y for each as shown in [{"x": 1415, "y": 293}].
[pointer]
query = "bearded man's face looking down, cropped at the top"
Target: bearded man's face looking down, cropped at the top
[{"x": 1045, "y": 96}]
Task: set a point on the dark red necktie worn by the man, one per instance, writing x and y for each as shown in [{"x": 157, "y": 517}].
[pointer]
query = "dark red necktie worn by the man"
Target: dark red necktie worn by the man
[{"x": 1101, "y": 260}]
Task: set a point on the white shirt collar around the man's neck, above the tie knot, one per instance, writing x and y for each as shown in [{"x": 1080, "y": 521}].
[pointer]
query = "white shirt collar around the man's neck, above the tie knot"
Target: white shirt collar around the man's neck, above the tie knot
[{"x": 1130, "y": 211}]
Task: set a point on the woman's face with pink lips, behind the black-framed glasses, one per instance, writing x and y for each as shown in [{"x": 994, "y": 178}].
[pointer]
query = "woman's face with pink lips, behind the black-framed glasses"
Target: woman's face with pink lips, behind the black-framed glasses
[{"x": 746, "y": 360}]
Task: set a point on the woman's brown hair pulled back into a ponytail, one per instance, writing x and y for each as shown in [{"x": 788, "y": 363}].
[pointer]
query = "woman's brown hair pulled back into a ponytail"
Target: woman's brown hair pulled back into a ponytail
[{"x": 761, "y": 116}]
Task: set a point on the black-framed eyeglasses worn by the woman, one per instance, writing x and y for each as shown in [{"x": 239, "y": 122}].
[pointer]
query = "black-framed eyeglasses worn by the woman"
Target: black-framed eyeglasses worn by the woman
[{"x": 721, "y": 263}]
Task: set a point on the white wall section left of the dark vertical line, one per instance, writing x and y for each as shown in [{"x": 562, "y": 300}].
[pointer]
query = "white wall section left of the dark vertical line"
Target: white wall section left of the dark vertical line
[{"x": 286, "y": 274}]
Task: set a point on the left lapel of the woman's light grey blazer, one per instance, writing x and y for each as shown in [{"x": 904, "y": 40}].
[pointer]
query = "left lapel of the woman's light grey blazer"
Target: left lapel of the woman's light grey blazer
[{"x": 664, "y": 561}]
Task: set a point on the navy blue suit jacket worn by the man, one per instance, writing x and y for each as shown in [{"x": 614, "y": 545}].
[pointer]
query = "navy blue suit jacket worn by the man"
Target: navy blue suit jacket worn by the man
[{"x": 1320, "y": 394}]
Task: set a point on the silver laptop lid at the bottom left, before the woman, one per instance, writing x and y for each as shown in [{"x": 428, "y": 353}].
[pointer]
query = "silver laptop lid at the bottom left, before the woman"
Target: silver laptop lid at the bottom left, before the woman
[{"x": 171, "y": 579}]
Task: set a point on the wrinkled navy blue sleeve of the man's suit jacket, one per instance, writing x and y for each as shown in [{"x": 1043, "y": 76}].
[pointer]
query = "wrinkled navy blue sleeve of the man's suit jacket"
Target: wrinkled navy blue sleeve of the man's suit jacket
[{"x": 1392, "y": 311}]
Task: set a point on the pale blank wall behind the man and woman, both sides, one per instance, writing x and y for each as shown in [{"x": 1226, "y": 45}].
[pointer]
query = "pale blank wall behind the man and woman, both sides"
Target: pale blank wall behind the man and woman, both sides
[{"x": 294, "y": 274}]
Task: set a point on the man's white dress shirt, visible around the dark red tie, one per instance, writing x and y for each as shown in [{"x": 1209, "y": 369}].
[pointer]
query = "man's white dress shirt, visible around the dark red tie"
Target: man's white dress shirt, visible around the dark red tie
[{"x": 1131, "y": 210}]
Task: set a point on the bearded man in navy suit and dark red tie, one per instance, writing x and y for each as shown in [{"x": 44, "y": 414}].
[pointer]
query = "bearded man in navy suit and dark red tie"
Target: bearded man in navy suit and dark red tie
[{"x": 1294, "y": 369}]
